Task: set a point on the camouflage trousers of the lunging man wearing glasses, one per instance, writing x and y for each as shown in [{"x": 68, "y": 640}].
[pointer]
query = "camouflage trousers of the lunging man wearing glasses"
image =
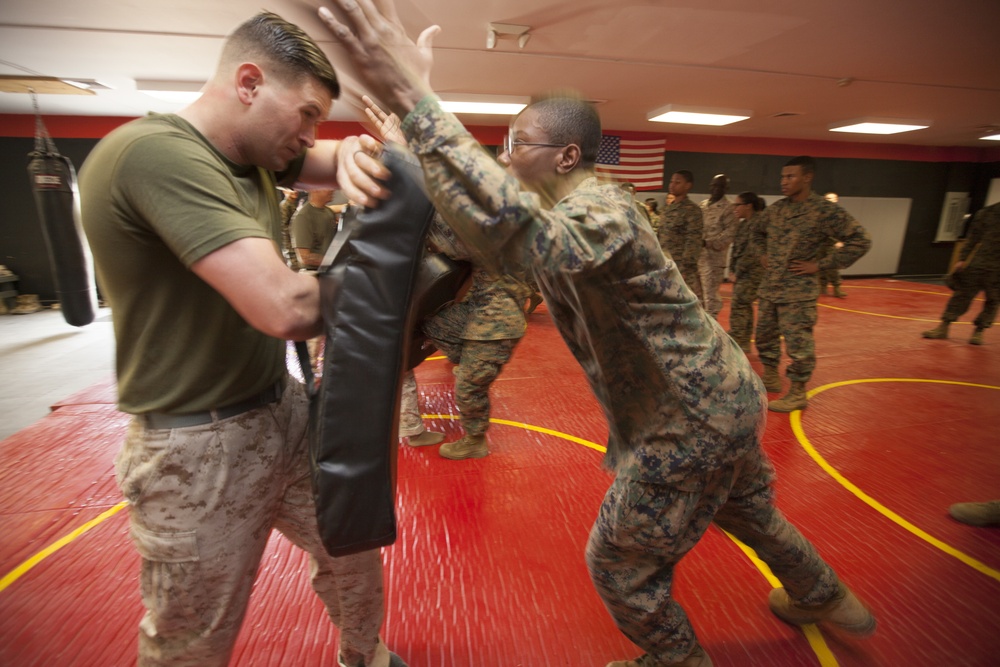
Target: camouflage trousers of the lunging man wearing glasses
[{"x": 643, "y": 530}]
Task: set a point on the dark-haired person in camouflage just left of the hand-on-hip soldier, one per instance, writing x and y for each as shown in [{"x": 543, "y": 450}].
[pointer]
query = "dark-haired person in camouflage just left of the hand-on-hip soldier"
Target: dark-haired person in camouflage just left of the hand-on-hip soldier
[{"x": 746, "y": 268}]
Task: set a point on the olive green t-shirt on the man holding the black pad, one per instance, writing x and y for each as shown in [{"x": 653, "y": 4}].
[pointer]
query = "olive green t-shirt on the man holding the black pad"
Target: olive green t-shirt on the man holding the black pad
[{"x": 156, "y": 197}]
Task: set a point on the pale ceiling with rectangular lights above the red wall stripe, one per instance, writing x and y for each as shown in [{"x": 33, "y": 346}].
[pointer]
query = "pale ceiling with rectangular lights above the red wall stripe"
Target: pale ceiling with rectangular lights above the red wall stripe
[{"x": 912, "y": 59}]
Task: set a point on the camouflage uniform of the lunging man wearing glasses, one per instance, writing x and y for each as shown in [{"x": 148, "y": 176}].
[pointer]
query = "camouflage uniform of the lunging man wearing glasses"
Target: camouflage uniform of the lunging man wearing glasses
[{"x": 685, "y": 411}]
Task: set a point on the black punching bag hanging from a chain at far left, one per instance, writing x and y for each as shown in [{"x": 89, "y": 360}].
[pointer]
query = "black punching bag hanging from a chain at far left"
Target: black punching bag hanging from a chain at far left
[{"x": 53, "y": 181}]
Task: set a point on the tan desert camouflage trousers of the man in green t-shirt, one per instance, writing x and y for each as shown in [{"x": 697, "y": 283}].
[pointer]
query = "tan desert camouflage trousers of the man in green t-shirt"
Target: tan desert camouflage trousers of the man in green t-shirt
[{"x": 203, "y": 502}]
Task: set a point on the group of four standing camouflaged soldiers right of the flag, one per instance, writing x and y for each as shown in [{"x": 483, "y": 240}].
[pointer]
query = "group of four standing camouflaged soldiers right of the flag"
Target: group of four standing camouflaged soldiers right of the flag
[{"x": 783, "y": 255}]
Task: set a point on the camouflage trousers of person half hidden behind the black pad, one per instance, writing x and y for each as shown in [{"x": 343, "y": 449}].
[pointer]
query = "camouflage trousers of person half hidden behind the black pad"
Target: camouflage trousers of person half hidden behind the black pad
[{"x": 477, "y": 364}]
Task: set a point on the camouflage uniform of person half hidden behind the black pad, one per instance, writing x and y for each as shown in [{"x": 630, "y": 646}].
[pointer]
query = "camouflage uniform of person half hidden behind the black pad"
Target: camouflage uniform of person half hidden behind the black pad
[{"x": 479, "y": 332}]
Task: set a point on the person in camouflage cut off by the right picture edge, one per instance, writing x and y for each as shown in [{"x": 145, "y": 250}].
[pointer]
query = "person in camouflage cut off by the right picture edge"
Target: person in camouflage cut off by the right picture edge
[{"x": 978, "y": 269}]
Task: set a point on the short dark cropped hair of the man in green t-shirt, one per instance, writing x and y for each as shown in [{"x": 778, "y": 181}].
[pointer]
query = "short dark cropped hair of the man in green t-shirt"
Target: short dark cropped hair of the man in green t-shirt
[{"x": 282, "y": 46}]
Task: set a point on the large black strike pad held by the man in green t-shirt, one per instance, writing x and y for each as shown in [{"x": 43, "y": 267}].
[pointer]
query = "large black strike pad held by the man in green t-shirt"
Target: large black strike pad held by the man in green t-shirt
[{"x": 366, "y": 284}]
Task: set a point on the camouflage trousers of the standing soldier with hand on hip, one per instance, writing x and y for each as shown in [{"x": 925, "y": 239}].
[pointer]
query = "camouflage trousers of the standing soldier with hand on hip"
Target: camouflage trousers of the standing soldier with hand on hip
[{"x": 794, "y": 321}]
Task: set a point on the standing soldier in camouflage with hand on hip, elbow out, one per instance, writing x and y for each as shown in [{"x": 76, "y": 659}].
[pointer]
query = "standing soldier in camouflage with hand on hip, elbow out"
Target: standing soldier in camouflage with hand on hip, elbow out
[{"x": 792, "y": 233}]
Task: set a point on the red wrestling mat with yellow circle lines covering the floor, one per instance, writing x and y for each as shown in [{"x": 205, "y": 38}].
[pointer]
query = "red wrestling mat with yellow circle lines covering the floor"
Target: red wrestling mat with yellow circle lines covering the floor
[{"x": 488, "y": 570}]
